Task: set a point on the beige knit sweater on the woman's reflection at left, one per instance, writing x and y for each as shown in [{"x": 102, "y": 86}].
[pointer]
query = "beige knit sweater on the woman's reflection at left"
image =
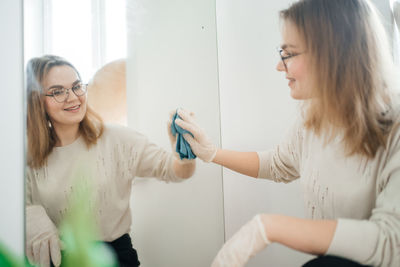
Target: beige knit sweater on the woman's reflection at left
[{"x": 109, "y": 167}]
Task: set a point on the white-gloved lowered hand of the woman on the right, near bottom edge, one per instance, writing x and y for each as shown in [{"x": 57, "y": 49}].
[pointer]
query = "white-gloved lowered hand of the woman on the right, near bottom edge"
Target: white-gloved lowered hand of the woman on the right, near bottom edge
[{"x": 245, "y": 243}]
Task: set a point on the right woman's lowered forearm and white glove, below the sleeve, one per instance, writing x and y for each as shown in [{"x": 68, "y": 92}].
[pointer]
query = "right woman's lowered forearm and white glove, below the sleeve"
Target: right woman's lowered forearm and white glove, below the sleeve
[{"x": 308, "y": 236}]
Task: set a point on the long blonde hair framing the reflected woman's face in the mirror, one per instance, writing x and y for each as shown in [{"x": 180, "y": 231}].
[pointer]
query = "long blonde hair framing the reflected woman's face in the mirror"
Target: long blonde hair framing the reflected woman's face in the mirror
[{"x": 41, "y": 135}]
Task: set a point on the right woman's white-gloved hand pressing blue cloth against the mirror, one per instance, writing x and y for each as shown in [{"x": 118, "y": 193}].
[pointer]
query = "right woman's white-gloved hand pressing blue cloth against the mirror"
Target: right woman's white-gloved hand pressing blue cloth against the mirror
[{"x": 201, "y": 145}]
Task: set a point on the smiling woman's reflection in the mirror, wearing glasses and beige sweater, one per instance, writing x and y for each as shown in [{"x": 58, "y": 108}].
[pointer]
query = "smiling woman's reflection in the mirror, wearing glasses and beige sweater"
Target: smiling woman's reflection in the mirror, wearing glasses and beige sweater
[{"x": 64, "y": 134}]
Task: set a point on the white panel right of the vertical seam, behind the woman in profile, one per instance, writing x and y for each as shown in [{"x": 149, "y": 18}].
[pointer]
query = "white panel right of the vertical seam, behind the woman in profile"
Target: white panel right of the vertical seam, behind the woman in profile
[{"x": 256, "y": 111}]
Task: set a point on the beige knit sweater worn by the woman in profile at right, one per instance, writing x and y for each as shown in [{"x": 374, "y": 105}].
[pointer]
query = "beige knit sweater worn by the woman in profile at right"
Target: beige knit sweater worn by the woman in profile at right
[{"x": 363, "y": 195}]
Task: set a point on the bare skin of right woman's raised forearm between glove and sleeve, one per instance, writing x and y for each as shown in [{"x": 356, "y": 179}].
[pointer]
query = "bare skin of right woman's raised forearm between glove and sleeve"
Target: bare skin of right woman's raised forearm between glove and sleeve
[{"x": 243, "y": 162}]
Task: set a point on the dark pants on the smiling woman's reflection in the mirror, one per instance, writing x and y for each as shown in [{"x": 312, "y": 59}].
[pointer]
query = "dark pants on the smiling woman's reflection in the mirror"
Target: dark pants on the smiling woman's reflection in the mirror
[{"x": 126, "y": 254}]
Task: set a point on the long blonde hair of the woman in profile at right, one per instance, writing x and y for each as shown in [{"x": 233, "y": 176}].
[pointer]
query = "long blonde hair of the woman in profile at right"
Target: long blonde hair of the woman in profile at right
[{"x": 350, "y": 62}]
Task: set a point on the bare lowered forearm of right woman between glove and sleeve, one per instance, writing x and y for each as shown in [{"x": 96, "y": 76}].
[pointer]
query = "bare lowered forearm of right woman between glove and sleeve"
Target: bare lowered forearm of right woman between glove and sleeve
[{"x": 305, "y": 235}]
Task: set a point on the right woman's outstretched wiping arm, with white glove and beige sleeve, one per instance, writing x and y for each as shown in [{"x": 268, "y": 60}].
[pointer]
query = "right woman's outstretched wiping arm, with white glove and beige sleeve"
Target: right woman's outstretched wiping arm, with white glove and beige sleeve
[{"x": 280, "y": 165}]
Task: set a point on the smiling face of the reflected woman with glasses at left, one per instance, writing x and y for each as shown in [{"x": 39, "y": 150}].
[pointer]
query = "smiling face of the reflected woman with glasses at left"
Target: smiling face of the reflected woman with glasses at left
[{"x": 70, "y": 112}]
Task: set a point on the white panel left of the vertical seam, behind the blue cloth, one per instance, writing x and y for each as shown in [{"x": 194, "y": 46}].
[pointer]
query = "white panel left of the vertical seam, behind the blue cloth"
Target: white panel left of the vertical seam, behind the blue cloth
[{"x": 172, "y": 62}]
